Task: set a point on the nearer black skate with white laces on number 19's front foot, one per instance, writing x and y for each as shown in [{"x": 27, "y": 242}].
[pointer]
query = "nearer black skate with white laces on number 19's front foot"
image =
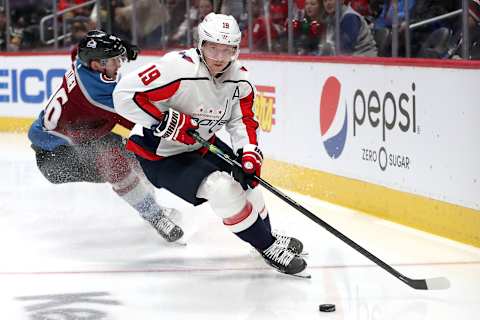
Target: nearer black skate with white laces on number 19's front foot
[{"x": 284, "y": 260}]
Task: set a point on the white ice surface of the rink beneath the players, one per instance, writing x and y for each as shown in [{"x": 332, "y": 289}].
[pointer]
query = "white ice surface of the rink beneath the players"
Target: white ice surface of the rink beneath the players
[{"x": 76, "y": 251}]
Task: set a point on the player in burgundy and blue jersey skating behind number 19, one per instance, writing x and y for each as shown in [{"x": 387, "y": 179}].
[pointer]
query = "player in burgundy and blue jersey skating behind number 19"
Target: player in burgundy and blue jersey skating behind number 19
[{"x": 72, "y": 136}]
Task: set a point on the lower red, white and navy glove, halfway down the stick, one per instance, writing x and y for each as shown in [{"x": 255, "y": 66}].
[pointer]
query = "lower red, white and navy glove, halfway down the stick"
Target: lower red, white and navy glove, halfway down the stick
[{"x": 251, "y": 159}]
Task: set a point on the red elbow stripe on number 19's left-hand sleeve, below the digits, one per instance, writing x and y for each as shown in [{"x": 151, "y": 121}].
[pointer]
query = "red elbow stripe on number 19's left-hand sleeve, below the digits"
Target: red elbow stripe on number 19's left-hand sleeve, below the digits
[{"x": 143, "y": 99}]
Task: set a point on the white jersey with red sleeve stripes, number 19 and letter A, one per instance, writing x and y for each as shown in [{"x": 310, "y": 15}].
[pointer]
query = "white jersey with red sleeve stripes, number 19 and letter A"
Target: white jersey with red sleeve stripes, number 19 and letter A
[{"x": 180, "y": 80}]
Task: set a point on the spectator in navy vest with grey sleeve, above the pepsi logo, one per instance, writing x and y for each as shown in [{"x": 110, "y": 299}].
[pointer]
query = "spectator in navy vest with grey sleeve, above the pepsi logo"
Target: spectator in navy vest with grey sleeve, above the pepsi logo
[{"x": 355, "y": 35}]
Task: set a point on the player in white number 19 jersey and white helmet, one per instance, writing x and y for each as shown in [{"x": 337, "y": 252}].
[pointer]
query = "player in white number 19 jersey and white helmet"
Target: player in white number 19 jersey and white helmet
[{"x": 205, "y": 89}]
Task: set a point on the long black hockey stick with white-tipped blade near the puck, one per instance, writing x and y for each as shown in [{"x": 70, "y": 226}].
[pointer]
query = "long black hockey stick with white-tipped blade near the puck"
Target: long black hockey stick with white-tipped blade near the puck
[{"x": 437, "y": 283}]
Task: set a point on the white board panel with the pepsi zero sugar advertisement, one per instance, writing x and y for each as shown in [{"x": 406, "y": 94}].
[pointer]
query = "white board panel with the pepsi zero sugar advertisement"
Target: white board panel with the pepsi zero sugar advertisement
[{"x": 406, "y": 128}]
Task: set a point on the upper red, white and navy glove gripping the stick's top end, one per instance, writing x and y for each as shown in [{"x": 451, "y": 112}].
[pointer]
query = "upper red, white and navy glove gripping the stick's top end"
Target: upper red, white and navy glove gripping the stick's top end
[{"x": 175, "y": 125}]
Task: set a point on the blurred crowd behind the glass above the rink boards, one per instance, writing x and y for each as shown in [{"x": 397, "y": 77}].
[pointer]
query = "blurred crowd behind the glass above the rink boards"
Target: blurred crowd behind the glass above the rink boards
[{"x": 365, "y": 27}]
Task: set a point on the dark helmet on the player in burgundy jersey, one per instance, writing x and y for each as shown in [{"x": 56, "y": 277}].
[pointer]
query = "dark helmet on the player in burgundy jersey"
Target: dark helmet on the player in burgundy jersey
[{"x": 99, "y": 45}]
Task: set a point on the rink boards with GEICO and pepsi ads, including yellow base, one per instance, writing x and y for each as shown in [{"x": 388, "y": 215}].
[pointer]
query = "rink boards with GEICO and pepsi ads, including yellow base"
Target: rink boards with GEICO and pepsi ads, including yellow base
[{"x": 392, "y": 142}]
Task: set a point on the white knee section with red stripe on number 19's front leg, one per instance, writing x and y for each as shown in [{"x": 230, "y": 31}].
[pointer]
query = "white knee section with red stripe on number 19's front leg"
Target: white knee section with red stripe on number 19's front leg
[{"x": 228, "y": 200}]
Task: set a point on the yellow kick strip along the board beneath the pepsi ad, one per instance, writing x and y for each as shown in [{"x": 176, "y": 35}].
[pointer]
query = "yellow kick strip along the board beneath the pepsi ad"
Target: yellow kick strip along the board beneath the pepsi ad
[{"x": 437, "y": 217}]
